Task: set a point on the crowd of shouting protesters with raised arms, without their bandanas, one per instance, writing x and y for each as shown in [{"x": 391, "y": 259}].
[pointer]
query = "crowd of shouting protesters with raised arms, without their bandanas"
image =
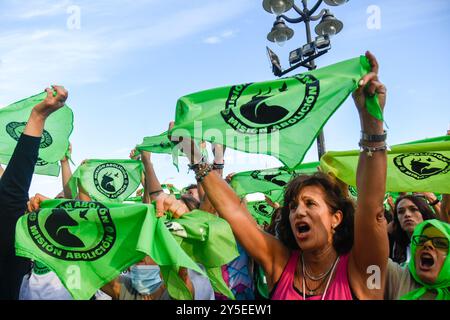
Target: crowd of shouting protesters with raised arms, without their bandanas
[{"x": 320, "y": 244}]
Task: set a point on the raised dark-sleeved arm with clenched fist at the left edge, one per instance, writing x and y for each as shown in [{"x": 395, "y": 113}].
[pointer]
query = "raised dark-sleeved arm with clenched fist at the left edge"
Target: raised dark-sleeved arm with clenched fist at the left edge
[{"x": 14, "y": 187}]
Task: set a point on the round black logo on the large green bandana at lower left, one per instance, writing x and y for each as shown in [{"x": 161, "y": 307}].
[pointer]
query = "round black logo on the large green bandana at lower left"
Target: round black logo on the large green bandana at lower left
[{"x": 73, "y": 231}]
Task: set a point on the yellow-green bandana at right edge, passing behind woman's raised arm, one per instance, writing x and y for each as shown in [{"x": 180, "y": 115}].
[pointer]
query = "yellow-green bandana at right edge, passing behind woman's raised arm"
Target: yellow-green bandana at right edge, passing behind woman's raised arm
[{"x": 421, "y": 167}]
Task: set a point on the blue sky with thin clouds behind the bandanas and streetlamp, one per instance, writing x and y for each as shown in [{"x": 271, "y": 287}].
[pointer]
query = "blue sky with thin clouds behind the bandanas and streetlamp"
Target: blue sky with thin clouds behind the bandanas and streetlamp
[{"x": 129, "y": 62}]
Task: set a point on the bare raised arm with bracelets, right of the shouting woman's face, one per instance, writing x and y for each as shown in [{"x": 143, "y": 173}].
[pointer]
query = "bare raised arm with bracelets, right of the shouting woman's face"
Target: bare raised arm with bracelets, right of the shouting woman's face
[{"x": 371, "y": 247}]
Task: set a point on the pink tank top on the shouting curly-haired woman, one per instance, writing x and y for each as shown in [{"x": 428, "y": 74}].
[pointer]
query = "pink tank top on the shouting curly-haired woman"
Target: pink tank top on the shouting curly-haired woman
[{"x": 339, "y": 289}]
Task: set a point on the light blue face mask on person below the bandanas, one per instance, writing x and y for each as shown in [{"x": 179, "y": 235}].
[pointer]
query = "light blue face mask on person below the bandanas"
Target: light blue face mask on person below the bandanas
[{"x": 145, "y": 279}]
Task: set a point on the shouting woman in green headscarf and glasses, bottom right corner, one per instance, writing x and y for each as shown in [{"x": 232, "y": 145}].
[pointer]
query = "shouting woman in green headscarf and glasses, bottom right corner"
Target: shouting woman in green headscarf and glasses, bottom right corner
[{"x": 427, "y": 276}]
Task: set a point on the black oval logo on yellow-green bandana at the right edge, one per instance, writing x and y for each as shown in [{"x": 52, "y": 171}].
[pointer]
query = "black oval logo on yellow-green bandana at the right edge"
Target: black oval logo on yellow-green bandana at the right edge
[{"x": 422, "y": 165}]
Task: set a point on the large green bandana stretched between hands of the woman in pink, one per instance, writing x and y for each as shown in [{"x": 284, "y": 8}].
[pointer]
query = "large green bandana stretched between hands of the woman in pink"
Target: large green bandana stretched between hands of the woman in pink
[{"x": 280, "y": 117}]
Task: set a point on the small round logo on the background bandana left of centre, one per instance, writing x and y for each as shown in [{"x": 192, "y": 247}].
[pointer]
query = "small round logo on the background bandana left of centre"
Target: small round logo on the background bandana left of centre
[{"x": 111, "y": 179}]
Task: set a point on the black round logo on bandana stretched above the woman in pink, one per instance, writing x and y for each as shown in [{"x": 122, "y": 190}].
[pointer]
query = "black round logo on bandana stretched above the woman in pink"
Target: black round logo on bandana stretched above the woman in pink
[{"x": 264, "y": 108}]
